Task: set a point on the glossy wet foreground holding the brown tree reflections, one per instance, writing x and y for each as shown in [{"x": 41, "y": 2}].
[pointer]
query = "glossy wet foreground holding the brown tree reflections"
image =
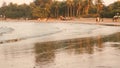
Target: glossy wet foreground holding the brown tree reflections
[{"x": 72, "y": 53}]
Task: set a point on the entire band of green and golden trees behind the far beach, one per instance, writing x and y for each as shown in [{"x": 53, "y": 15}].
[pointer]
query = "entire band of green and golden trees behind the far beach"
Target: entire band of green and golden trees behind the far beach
[{"x": 55, "y": 9}]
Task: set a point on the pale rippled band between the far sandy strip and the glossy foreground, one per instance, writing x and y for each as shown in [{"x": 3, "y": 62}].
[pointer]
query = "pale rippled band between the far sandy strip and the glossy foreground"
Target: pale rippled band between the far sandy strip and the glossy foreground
[{"x": 60, "y": 30}]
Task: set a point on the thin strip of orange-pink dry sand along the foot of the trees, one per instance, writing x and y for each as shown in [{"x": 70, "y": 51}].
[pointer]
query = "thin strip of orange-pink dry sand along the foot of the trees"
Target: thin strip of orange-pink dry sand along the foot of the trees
[{"x": 106, "y": 21}]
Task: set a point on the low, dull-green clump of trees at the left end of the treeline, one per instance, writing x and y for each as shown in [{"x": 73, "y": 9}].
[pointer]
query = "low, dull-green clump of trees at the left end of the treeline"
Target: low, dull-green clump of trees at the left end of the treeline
[{"x": 16, "y": 11}]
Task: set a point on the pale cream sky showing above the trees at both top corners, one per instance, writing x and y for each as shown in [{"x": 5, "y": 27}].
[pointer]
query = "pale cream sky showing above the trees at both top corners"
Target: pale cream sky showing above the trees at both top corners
[{"x": 107, "y": 2}]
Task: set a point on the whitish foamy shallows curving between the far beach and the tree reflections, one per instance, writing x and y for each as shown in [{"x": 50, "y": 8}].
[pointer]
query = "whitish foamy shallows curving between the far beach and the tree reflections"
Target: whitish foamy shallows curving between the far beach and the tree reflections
[{"x": 42, "y": 32}]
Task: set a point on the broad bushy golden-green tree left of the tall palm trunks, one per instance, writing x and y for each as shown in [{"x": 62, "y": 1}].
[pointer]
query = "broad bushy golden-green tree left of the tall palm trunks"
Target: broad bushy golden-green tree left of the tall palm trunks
[{"x": 44, "y": 7}]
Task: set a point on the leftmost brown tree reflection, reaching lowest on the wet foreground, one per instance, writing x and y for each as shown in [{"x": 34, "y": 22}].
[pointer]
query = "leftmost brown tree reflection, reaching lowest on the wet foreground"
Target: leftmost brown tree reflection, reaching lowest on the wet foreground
[{"x": 45, "y": 52}]
